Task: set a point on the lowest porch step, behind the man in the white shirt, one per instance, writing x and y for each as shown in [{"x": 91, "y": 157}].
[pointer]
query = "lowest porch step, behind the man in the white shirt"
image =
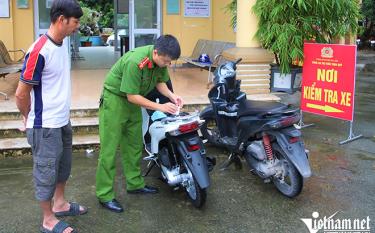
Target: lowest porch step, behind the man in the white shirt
[{"x": 13, "y": 147}]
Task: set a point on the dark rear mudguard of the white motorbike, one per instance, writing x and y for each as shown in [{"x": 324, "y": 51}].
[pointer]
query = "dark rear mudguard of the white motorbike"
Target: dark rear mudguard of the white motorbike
[{"x": 197, "y": 163}]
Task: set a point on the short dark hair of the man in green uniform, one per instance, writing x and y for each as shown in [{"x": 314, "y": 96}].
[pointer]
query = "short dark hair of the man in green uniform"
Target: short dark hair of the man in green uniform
[{"x": 167, "y": 45}]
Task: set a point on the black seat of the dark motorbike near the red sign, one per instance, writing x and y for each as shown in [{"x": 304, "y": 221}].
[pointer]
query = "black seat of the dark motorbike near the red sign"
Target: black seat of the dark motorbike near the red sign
[{"x": 251, "y": 107}]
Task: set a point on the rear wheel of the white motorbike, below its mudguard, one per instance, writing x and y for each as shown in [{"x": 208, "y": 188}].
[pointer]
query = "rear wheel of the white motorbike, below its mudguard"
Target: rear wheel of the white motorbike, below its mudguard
[{"x": 196, "y": 194}]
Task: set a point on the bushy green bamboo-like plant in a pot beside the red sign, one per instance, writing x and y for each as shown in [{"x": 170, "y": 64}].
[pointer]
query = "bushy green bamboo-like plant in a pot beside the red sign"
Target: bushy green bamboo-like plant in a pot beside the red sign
[{"x": 284, "y": 26}]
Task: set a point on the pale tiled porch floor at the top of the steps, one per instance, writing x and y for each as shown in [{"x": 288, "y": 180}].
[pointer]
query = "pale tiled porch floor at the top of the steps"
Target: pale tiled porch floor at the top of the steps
[{"x": 88, "y": 74}]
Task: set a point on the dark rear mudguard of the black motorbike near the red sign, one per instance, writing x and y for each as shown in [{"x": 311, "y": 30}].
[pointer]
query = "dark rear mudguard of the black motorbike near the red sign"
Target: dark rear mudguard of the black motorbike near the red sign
[{"x": 295, "y": 152}]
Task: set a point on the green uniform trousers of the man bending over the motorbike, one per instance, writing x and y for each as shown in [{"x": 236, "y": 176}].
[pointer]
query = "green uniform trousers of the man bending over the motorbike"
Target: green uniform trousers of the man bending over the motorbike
[{"x": 120, "y": 123}]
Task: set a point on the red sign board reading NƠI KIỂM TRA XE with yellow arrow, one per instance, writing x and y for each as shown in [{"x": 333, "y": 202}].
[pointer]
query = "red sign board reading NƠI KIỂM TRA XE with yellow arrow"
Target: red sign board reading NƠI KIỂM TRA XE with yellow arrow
[{"x": 329, "y": 79}]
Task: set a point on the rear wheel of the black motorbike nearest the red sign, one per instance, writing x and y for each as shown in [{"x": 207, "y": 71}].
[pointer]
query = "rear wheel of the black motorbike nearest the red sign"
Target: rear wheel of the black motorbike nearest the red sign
[{"x": 291, "y": 182}]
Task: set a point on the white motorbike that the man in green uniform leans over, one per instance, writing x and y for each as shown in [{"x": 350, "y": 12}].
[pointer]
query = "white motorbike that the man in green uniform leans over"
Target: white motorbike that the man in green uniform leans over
[{"x": 173, "y": 144}]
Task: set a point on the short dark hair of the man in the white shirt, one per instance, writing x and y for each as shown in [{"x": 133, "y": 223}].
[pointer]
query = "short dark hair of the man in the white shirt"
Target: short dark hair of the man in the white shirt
[{"x": 67, "y": 8}]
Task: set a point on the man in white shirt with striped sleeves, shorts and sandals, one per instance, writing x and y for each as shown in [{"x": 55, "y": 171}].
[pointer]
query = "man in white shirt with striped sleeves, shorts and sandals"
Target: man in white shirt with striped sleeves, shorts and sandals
[{"x": 43, "y": 98}]
